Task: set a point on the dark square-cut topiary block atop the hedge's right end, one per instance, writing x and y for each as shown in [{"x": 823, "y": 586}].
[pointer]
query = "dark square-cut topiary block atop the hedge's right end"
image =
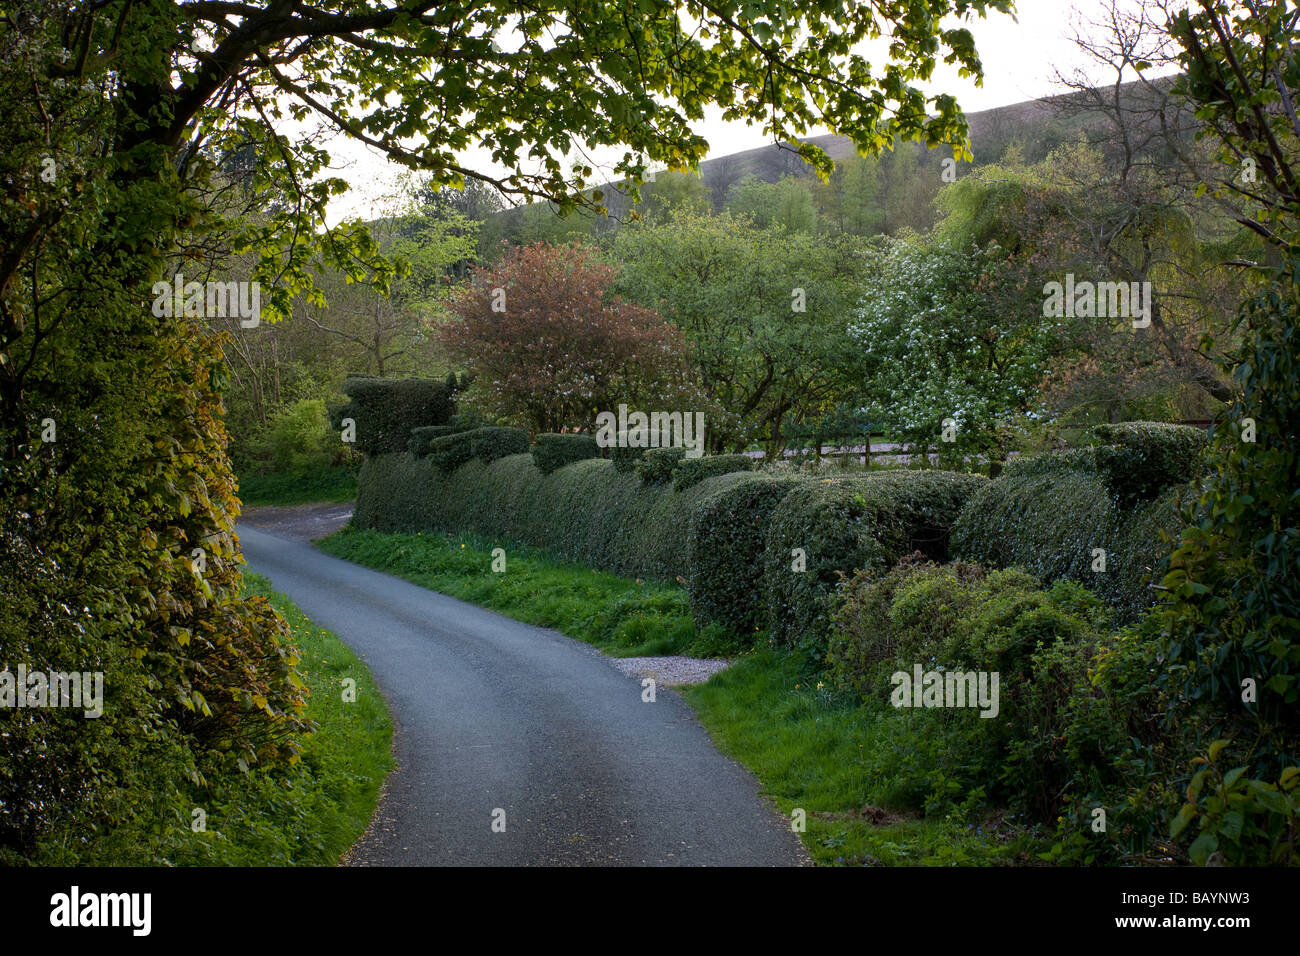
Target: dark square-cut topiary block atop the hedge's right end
[{"x": 1139, "y": 460}]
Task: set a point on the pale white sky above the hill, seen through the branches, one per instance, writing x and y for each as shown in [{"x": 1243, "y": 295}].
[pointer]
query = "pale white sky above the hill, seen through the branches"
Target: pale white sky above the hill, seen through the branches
[{"x": 1020, "y": 55}]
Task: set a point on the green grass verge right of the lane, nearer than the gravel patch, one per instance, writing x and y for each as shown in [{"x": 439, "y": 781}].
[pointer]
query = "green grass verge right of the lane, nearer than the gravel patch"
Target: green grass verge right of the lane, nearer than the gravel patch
[{"x": 821, "y": 751}]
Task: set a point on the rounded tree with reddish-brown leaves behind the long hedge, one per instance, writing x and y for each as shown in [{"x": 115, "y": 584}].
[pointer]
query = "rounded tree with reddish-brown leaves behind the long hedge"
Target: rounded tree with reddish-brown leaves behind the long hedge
[{"x": 552, "y": 347}]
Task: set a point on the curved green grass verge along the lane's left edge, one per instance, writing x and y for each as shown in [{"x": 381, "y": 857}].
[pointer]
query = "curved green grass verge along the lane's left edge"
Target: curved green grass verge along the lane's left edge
[{"x": 306, "y": 815}]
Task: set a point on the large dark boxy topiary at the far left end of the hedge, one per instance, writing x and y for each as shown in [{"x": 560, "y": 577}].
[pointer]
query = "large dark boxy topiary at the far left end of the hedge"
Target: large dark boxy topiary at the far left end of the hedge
[{"x": 387, "y": 410}]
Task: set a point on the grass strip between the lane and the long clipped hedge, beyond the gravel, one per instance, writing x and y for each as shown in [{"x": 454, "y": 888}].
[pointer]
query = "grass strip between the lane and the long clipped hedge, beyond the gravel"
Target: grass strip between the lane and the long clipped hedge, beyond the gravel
[{"x": 622, "y": 617}]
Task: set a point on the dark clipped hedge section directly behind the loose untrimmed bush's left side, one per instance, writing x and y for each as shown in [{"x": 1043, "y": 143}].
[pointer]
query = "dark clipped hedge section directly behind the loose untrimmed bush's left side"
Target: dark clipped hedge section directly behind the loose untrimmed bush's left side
[{"x": 847, "y": 525}]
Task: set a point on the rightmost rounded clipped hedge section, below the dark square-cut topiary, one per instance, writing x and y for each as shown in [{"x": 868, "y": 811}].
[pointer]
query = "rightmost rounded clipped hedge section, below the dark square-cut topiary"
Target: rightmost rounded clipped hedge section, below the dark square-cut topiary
[{"x": 1048, "y": 514}]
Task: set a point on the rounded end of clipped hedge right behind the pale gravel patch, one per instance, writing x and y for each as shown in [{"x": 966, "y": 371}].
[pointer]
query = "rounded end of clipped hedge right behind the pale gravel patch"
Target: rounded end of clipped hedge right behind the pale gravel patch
[{"x": 727, "y": 537}]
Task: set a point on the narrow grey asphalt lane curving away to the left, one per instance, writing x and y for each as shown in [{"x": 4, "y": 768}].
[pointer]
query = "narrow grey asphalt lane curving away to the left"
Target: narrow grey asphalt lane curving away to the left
[{"x": 497, "y": 716}]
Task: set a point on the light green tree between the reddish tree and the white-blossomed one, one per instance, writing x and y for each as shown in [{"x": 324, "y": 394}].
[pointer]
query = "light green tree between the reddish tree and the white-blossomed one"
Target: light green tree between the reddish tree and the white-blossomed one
[{"x": 765, "y": 313}]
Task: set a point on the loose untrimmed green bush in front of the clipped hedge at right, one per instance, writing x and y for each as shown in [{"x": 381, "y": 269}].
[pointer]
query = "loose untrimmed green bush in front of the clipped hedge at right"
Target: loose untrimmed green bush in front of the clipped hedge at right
[{"x": 964, "y": 618}]
